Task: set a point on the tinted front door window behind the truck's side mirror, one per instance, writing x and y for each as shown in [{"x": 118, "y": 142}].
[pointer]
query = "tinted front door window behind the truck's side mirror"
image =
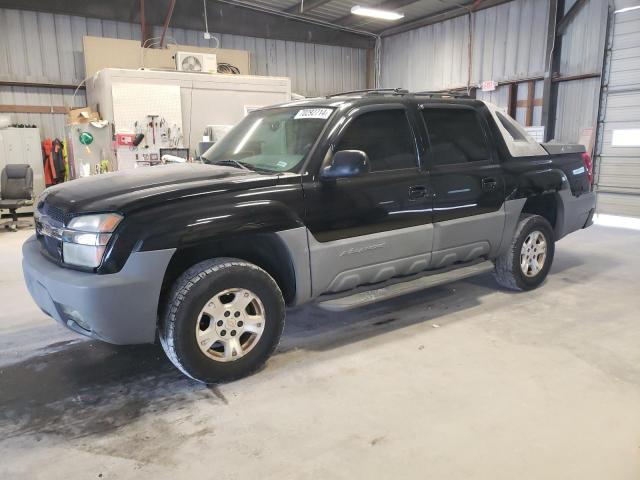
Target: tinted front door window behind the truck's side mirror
[{"x": 385, "y": 137}]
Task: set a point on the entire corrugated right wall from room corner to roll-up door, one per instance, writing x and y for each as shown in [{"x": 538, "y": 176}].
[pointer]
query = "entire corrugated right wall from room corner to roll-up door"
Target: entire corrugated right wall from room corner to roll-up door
[{"x": 436, "y": 57}]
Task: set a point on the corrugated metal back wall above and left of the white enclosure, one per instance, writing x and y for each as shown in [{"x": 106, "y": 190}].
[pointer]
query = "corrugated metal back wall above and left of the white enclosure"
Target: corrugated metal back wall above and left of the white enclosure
[{"x": 40, "y": 47}]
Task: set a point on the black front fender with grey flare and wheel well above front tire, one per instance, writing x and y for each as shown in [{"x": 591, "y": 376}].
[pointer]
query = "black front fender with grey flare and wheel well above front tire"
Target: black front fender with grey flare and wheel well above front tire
[{"x": 266, "y": 233}]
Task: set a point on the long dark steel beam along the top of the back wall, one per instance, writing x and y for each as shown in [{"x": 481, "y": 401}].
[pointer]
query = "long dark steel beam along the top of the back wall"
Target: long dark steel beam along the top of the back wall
[{"x": 224, "y": 17}]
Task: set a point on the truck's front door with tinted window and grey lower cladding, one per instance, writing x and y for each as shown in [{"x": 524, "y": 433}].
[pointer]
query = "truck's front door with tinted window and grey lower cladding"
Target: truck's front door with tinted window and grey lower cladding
[{"x": 376, "y": 226}]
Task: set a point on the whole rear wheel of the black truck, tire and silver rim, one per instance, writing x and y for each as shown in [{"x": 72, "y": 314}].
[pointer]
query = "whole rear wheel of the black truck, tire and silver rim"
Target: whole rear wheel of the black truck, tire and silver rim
[{"x": 526, "y": 263}]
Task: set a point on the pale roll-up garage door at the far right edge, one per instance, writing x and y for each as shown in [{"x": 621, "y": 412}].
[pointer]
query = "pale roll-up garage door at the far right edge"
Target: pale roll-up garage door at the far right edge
[{"x": 618, "y": 162}]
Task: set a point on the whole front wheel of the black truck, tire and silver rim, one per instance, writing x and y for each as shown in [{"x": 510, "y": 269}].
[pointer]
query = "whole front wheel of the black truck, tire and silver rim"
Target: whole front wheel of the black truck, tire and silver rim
[{"x": 223, "y": 320}]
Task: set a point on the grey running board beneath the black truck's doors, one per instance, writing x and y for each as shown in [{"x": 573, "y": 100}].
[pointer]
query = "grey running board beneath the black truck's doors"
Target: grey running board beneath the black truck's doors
[{"x": 345, "y": 301}]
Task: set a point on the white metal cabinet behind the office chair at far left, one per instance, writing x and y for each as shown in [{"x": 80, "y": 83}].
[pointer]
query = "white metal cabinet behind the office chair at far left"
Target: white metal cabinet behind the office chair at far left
[{"x": 22, "y": 145}]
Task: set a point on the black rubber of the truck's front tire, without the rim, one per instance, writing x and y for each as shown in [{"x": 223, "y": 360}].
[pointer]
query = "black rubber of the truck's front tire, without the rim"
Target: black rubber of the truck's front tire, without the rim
[{"x": 188, "y": 297}]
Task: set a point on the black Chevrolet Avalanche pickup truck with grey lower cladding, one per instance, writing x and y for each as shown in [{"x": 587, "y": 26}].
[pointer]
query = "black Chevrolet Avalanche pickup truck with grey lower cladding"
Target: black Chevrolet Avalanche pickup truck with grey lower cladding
[{"x": 318, "y": 199}]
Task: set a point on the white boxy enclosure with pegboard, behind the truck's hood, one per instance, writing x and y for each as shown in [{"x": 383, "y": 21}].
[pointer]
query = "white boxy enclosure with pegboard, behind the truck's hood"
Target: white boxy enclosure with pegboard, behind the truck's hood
[{"x": 188, "y": 101}]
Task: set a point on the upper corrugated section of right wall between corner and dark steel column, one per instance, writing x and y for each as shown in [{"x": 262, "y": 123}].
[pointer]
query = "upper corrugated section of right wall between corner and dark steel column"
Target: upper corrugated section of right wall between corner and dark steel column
[{"x": 508, "y": 43}]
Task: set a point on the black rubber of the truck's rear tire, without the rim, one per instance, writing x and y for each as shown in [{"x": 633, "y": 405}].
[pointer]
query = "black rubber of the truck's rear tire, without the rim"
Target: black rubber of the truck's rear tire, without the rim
[{"x": 508, "y": 272}]
